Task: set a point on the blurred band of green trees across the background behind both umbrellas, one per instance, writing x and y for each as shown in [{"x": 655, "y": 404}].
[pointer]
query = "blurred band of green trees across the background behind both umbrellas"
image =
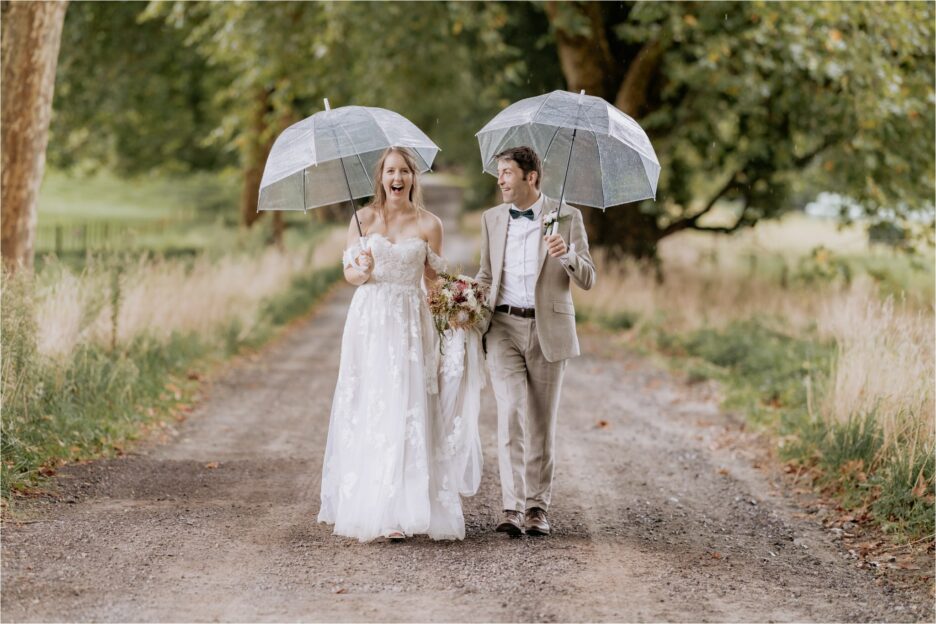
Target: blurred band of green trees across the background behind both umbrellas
[{"x": 754, "y": 108}]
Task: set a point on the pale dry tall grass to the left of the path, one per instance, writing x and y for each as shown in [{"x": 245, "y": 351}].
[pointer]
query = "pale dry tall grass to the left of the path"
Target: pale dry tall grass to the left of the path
[{"x": 159, "y": 297}]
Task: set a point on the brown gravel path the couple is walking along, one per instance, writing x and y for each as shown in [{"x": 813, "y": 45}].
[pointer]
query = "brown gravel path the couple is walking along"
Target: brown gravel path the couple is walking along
[{"x": 657, "y": 516}]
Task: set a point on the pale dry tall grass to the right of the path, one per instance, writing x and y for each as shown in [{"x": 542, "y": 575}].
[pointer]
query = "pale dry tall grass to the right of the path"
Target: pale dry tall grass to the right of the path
[{"x": 885, "y": 345}]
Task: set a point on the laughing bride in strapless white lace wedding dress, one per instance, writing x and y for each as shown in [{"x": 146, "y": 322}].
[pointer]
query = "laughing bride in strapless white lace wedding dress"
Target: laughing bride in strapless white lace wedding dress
[{"x": 399, "y": 452}]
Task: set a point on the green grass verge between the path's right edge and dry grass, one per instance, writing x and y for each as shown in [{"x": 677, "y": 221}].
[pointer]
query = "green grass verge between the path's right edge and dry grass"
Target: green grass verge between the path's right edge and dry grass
[{"x": 779, "y": 381}]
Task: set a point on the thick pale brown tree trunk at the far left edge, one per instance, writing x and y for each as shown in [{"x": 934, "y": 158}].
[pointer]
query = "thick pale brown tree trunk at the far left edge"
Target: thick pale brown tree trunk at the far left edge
[{"x": 31, "y": 36}]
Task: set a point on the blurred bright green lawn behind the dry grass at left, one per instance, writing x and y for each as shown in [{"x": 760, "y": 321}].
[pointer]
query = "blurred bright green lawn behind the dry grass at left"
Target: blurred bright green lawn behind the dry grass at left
[{"x": 160, "y": 214}]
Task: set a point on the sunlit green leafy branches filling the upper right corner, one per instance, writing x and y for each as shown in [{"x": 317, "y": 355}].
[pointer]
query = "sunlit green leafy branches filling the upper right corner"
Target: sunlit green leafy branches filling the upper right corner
[{"x": 770, "y": 85}]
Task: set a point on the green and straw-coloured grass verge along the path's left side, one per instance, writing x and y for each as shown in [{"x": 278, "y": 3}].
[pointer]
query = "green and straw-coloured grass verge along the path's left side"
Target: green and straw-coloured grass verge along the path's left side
[{"x": 94, "y": 397}]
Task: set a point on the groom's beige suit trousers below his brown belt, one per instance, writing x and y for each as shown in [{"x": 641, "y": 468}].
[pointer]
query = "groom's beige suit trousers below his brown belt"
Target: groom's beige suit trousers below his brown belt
[{"x": 526, "y": 388}]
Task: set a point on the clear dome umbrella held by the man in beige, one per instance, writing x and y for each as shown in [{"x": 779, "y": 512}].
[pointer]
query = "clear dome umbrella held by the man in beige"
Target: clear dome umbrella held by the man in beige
[{"x": 592, "y": 153}]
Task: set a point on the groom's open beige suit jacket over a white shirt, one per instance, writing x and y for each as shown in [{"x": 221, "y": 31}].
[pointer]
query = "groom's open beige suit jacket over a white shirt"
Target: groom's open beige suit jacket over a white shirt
[{"x": 555, "y": 312}]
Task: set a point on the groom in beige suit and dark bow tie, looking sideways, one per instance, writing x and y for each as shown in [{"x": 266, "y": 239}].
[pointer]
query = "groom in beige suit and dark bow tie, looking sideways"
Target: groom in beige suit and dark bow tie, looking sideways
[{"x": 531, "y": 334}]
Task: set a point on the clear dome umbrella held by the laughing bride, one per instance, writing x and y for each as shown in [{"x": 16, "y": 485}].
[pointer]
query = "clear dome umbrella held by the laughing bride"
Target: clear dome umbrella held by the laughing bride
[{"x": 329, "y": 157}]
